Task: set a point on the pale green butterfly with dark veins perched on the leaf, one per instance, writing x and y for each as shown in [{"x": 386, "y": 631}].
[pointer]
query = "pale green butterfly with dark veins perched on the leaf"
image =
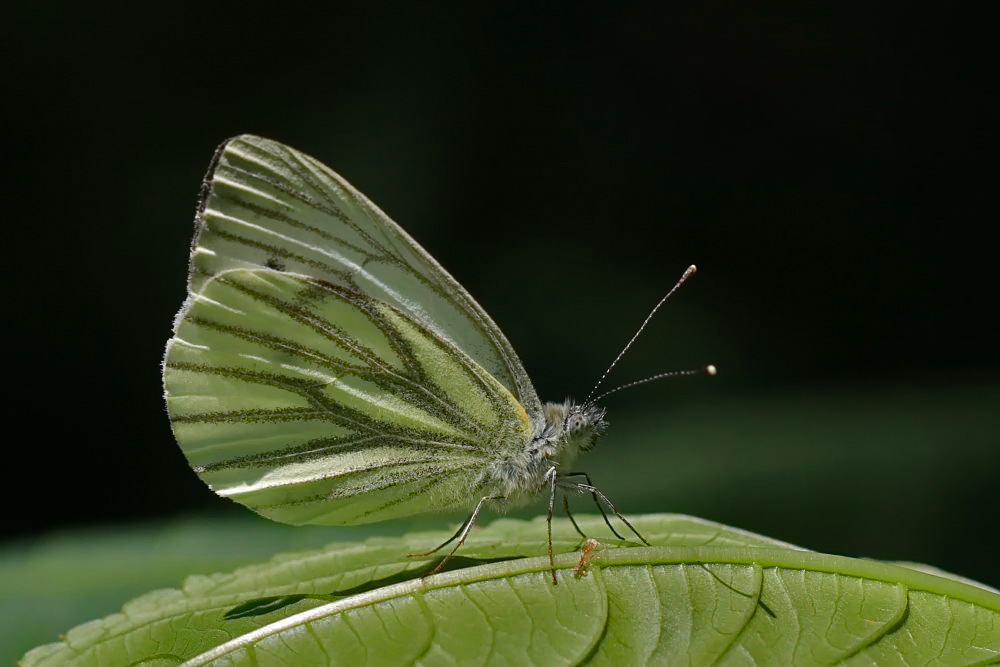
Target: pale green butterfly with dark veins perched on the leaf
[{"x": 325, "y": 369}]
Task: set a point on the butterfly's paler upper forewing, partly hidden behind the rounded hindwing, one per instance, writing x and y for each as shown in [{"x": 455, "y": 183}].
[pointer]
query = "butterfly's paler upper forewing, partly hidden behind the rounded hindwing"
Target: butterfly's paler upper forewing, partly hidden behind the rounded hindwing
[{"x": 267, "y": 205}]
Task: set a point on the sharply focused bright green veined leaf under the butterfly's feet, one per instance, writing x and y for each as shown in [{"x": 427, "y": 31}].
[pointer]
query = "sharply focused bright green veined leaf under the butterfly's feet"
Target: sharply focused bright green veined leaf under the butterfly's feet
[{"x": 703, "y": 593}]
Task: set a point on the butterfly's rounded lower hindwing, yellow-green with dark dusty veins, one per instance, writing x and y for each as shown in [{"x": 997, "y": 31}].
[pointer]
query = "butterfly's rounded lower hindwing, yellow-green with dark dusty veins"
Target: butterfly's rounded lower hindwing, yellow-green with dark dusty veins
[{"x": 313, "y": 403}]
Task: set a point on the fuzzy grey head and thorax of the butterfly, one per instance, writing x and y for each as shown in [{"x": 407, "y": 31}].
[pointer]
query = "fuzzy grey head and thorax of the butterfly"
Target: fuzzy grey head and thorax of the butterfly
[{"x": 561, "y": 432}]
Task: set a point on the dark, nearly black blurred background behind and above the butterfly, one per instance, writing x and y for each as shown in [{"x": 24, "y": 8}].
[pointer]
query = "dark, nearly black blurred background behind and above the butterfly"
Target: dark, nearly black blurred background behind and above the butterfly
[{"x": 824, "y": 166}]
